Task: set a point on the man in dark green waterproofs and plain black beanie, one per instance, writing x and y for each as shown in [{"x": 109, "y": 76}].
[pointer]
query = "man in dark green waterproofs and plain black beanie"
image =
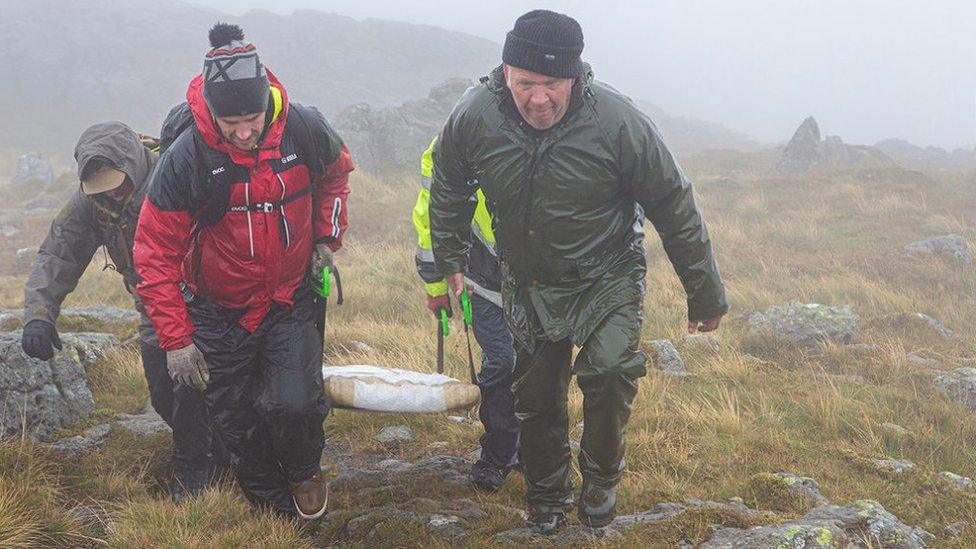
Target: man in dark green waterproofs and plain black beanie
[{"x": 570, "y": 167}]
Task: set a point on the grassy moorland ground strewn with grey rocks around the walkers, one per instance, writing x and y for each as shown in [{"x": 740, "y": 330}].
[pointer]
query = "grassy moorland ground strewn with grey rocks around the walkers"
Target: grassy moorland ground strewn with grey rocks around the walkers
[{"x": 833, "y": 409}]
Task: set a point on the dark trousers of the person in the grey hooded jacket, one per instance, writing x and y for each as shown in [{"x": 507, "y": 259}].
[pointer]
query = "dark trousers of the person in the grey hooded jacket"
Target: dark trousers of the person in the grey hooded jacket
[{"x": 196, "y": 452}]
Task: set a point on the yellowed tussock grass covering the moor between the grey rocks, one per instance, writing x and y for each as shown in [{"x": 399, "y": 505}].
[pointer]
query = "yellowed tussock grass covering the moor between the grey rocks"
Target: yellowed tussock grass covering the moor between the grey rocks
[{"x": 754, "y": 407}]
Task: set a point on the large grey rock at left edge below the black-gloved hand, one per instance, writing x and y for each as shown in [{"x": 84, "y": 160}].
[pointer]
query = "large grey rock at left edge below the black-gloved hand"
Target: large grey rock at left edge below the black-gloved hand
[{"x": 43, "y": 396}]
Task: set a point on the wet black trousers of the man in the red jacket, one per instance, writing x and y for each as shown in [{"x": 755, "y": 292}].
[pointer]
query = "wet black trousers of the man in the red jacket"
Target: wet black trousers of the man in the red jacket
[{"x": 265, "y": 395}]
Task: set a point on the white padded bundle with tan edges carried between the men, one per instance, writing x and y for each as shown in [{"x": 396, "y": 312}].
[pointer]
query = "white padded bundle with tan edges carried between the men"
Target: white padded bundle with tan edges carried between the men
[{"x": 393, "y": 390}]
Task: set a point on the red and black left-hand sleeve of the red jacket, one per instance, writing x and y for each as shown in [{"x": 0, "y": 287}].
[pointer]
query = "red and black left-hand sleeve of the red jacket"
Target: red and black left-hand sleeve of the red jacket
[{"x": 161, "y": 243}]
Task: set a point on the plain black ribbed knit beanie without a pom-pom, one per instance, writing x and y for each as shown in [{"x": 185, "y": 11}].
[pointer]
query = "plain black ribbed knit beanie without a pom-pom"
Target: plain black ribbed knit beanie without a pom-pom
[{"x": 546, "y": 42}]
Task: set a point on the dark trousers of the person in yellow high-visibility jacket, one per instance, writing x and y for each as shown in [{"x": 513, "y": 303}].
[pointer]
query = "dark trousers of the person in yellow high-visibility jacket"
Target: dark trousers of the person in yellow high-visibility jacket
[{"x": 499, "y": 444}]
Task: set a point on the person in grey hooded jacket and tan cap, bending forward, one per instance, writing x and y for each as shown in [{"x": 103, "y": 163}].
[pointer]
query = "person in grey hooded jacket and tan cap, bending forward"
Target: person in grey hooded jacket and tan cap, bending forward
[{"x": 114, "y": 165}]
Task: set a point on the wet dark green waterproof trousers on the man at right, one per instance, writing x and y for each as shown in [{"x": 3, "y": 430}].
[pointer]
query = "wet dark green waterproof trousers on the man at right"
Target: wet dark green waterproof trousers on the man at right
[{"x": 607, "y": 368}]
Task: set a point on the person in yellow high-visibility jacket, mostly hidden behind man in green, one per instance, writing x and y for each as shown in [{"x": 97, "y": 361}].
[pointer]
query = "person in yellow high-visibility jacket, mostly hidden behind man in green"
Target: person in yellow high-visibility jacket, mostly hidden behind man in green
[{"x": 499, "y": 444}]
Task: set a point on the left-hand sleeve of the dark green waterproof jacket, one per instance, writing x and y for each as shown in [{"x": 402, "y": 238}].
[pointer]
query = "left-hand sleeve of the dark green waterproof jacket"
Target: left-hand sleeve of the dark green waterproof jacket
[{"x": 451, "y": 203}]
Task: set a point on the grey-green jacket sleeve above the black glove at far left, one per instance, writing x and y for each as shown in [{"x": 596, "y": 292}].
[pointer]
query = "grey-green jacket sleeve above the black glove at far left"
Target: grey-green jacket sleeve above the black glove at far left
[{"x": 61, "y": 260}]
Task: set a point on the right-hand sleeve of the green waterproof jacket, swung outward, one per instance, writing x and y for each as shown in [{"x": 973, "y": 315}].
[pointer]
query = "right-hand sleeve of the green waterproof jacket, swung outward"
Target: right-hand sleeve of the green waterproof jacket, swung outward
[{"x": 653, "y": 176}]
